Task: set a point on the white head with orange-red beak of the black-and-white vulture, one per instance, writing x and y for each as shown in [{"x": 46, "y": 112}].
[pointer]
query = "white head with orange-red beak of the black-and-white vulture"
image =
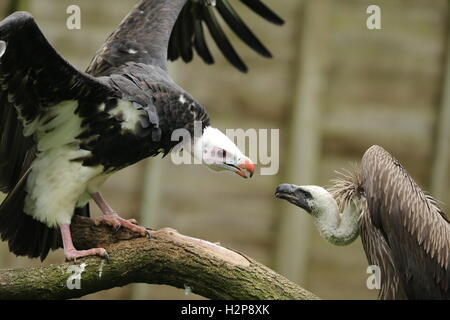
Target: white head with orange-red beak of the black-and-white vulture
[{"x": 219, "y": 153}]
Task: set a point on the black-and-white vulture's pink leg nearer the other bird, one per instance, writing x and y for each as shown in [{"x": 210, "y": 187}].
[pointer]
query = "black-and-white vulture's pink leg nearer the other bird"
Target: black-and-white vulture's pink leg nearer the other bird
[{"x": 111, "y": 218}]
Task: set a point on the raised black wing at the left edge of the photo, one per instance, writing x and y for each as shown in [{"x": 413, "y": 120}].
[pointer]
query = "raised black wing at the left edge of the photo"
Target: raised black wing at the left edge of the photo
[{"x": 33, "y": 76}]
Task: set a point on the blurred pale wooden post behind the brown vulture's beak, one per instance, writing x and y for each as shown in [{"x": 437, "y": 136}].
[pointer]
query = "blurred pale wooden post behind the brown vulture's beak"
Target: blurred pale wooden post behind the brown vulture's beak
[{"x": 305, "y": 135}]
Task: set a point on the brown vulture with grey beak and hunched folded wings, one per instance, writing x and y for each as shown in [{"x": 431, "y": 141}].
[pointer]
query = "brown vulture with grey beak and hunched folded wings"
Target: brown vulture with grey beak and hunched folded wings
[{"x": 402, "y": 229}]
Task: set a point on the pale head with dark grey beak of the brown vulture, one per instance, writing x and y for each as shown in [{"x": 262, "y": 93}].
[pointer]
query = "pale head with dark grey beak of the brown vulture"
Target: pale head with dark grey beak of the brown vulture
[{"x": 314, "y": 199}]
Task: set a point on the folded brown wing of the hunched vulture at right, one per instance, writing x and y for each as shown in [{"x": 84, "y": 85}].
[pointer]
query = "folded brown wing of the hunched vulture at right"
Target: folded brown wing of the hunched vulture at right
[{"x": 416, "y": 232}]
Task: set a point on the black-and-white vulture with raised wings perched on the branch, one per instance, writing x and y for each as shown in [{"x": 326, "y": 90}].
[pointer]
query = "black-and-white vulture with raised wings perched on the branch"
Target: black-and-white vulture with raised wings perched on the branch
[{"x": 63, "y": 132}]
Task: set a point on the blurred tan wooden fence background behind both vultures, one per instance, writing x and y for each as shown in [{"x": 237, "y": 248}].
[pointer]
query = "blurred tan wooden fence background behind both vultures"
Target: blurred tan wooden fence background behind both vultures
[{"x": 334, "y": 88}]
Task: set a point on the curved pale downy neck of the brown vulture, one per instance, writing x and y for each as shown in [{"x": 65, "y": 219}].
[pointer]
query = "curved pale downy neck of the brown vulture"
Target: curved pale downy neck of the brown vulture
[{"x": 338, "y": 228}]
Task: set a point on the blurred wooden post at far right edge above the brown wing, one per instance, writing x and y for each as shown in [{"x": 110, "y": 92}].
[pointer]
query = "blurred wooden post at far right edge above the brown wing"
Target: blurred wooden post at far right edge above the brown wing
[{"x": 440, "y": 170}]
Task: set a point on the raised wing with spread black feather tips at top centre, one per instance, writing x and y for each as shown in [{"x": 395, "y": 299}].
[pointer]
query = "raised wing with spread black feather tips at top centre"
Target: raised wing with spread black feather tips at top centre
[{"x": 159, "y": 29}]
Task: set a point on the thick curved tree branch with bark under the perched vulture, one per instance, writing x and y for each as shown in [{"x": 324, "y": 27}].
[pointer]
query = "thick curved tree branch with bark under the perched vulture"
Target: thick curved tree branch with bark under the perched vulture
[{"x": 168, "y": 258}]
